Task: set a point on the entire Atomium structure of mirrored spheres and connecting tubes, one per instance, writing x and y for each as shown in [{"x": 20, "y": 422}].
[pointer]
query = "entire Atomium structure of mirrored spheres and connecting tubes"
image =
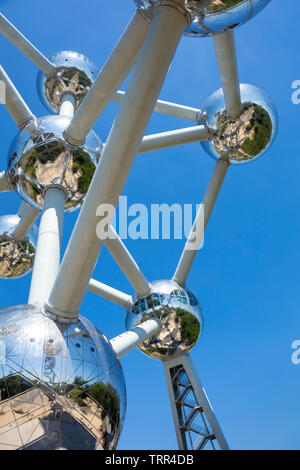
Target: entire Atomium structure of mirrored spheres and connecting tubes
[{"x": 61, "y": 382}]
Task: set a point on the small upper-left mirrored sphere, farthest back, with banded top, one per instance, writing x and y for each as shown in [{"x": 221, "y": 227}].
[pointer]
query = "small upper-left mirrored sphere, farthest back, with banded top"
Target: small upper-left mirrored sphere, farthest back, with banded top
[{"x": 74, "y": 74}]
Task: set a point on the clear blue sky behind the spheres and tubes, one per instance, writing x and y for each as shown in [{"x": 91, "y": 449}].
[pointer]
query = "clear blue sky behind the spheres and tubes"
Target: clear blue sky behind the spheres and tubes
[{"x": 247, "y": 276}]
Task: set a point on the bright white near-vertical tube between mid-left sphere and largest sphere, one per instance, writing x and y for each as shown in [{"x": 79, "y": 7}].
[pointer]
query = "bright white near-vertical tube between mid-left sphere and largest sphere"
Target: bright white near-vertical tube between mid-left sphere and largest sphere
[{"x": 47, "y": 257}]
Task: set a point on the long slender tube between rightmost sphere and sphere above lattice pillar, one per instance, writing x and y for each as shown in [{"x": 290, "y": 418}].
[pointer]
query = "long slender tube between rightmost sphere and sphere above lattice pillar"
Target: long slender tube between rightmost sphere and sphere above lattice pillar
[{"x": 203, "y": 215}]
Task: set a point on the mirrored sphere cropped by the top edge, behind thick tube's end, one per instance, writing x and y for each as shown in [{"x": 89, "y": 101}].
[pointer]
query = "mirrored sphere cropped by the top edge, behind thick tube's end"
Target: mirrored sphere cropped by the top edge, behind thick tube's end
[{"x": 211, "y": 16}]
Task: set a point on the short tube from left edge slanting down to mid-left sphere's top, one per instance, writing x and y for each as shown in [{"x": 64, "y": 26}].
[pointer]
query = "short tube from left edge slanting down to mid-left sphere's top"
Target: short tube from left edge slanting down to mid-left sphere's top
[{"x": 14, "y": 102}]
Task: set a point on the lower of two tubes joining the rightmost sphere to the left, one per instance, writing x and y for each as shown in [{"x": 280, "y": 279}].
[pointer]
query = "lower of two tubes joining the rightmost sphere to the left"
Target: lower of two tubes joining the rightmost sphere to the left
[{"x": 172, "y": 138}]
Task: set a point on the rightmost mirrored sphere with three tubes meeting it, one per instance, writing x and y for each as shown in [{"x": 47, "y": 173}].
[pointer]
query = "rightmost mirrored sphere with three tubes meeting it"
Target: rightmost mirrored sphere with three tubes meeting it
[{"x": 243, "y": 138}]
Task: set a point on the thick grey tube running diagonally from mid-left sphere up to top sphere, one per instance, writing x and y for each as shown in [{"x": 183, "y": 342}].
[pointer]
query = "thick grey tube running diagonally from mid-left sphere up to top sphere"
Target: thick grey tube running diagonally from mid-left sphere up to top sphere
[{"x": 109, "y": 79}]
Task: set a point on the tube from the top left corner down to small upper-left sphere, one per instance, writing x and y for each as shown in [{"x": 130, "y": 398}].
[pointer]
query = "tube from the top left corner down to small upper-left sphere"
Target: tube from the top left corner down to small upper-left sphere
[{"x": 11, "y": 33}]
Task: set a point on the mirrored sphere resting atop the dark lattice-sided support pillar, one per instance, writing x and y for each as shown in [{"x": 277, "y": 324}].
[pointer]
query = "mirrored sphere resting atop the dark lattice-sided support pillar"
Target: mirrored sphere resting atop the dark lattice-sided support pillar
[{"x": 179, "y": 312}]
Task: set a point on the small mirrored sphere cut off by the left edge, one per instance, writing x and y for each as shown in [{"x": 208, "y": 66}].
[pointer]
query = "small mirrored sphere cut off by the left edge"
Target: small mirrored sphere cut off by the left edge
[{"x": 16, "y": 257}]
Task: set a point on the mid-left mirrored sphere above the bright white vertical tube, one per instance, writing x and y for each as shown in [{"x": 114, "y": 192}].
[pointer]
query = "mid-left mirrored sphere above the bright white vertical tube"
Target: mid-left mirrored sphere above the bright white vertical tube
[{"x": 40, "y": 156}]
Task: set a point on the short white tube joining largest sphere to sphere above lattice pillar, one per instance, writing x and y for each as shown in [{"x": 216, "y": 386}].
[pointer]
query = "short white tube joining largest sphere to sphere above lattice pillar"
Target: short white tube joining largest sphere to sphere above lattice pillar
[{"x": 127, "y": 341}]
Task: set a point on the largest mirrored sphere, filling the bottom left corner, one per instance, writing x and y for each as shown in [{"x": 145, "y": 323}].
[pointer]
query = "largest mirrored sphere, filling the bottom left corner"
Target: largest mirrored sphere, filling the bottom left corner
[{"x": 61, "y": 385}]
